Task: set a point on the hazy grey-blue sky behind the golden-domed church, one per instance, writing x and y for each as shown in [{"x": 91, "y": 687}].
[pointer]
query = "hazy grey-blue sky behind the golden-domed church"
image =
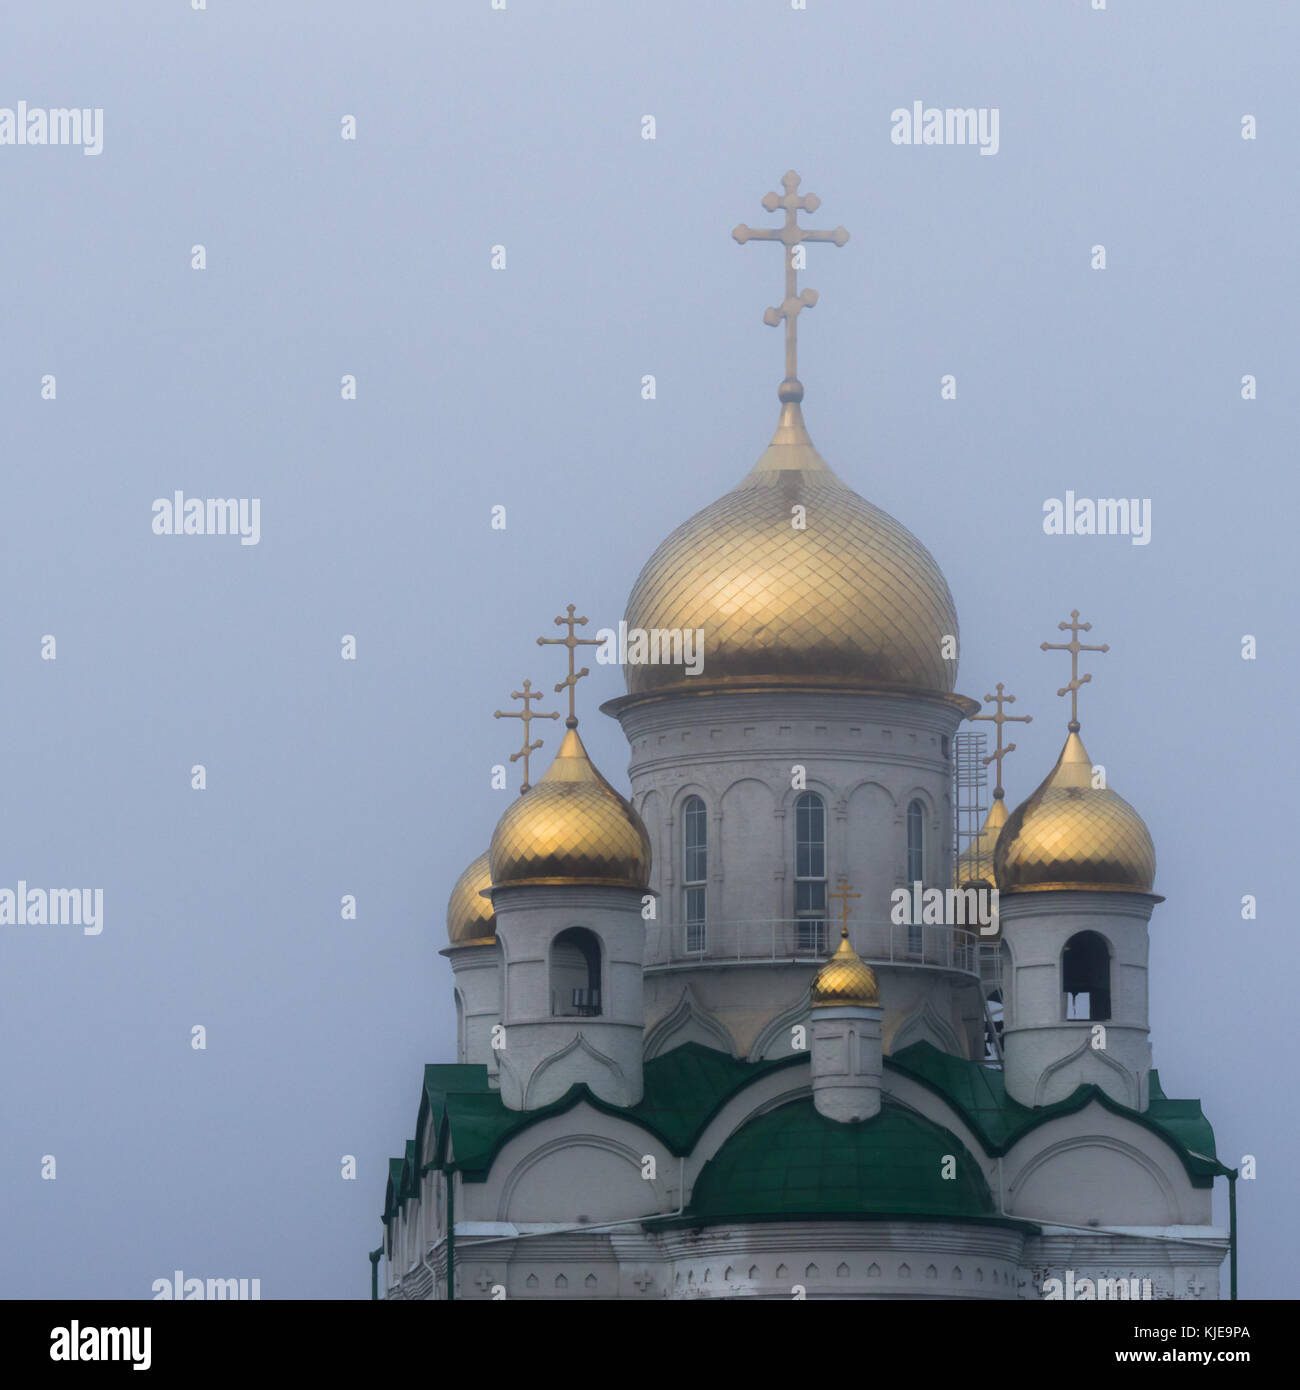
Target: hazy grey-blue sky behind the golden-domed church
[{"x": 523, "y": 389}]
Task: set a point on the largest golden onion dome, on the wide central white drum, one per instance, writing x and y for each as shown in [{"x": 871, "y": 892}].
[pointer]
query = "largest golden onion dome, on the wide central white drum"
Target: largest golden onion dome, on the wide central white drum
[{"x": 852, "y": 600}]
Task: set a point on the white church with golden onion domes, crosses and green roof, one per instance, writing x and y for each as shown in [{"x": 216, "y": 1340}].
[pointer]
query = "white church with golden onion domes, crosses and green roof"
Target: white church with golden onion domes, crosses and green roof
[{"x": 704, "y": 1047}]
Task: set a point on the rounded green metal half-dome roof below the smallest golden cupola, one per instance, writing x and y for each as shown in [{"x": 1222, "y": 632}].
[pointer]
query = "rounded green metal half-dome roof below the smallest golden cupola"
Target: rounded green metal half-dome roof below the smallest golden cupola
[{"x": 795, "y": 1163}]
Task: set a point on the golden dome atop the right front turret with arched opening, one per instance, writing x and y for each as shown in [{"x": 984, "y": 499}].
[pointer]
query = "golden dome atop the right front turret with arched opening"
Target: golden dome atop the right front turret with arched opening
[{"x": 1071, "y": 835}]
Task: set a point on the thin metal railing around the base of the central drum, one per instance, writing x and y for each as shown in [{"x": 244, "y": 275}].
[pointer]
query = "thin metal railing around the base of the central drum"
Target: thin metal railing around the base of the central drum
[{"x": 799, "y": 940}]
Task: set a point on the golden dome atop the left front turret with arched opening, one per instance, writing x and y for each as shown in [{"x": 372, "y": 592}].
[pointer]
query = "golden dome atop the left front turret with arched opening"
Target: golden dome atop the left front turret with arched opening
[{"x": 571, "y": 828}]
